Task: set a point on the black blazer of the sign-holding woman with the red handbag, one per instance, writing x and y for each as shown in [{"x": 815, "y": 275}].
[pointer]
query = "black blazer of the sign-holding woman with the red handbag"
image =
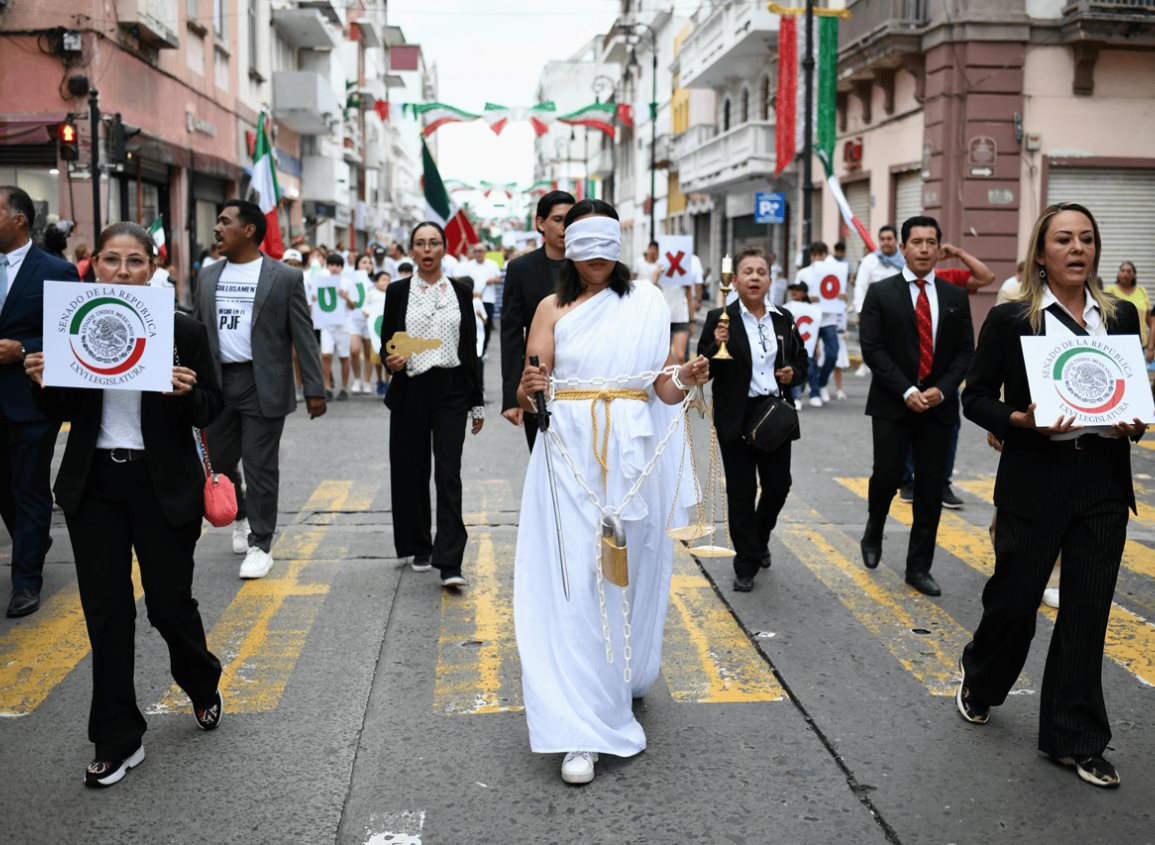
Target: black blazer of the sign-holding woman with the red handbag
[{"x": 167, "y": 425}]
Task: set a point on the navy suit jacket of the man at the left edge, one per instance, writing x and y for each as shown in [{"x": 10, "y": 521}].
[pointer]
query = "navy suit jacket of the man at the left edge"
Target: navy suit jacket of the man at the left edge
[{"x": 23, "y": 319}]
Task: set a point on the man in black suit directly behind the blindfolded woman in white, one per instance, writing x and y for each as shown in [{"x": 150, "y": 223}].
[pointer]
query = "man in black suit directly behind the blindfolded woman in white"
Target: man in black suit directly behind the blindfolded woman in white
[{"x": 530, "y": 280}]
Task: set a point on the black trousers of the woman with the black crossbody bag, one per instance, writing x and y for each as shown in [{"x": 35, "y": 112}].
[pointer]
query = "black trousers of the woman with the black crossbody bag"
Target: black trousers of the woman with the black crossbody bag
[{"x": 750, "y": 526}]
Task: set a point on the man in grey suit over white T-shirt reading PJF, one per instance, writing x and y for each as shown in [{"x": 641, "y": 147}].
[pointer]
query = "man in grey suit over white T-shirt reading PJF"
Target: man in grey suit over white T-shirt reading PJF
[{"x": 257, "y": 313}]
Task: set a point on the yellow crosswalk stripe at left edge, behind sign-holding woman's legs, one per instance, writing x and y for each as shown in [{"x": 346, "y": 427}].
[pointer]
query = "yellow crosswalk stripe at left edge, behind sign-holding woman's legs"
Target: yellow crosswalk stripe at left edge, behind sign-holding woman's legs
[{"x": 40, "y": 653}]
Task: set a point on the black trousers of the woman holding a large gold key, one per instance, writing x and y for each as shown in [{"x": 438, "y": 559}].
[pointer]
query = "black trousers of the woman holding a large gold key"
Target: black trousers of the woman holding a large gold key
[{"x": 434, "y": 415}]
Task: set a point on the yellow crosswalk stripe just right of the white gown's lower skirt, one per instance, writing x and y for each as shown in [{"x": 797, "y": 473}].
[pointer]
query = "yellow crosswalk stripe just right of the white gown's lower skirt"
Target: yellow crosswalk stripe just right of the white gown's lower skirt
[{"x": 707, "y": 659}]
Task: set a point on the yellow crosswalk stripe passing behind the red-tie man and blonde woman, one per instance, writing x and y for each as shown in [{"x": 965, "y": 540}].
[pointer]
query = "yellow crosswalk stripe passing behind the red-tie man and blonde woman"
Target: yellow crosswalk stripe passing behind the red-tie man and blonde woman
[{"x": 1130, "y": 638}]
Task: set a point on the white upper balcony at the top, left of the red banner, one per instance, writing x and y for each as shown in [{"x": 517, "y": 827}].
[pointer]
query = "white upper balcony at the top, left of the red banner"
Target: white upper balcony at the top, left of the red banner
[{"x": 729, "y": 40}]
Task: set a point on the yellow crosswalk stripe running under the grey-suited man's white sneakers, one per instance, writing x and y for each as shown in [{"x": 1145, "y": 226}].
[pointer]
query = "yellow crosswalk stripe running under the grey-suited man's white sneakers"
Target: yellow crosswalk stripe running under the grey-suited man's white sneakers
[{"x": 262, "y": 634}]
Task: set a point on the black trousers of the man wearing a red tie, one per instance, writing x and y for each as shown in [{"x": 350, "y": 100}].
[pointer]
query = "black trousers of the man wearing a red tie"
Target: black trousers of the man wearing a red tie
[{"x": 930, "y": 442}]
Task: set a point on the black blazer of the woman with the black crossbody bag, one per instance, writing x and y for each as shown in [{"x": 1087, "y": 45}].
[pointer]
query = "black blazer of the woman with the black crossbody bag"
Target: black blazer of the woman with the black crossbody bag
[{"x": 732, "y": 379}]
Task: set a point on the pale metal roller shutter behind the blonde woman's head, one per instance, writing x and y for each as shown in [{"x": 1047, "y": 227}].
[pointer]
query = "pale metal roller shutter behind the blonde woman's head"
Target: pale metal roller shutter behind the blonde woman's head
[{"x": 1123, "y": 203}]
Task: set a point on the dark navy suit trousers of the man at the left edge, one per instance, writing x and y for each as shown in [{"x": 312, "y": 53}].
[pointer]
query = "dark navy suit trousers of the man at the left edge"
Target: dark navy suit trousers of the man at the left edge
[{"x": 26, "y": 496}]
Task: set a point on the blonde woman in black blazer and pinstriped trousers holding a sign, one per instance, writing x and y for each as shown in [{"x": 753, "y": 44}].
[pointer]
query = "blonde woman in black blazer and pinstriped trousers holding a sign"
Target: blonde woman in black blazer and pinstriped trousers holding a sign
[{"x": 1060, "y": 488}]
